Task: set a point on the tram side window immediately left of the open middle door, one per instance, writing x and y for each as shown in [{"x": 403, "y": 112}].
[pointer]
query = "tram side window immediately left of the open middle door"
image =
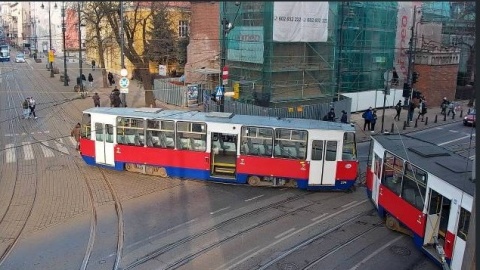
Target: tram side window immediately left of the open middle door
[{"x": 192, "y": 136}]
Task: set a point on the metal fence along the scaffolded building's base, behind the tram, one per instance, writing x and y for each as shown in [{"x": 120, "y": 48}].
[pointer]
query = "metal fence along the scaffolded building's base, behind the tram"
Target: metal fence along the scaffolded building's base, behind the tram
[{"x": 193, "y": 95}]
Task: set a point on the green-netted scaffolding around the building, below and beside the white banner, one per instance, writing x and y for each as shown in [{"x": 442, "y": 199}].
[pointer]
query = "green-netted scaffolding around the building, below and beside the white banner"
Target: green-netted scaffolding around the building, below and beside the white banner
[{"x": 358, "y": 50}]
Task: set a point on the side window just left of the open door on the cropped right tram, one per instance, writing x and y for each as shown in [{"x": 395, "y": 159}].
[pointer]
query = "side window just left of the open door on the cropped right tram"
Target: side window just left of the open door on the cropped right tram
[{"x": 414, "y": 186}]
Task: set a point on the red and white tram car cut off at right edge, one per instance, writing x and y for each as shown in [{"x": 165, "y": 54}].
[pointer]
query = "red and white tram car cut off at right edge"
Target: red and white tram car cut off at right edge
[{"x": 422, "y": 190}]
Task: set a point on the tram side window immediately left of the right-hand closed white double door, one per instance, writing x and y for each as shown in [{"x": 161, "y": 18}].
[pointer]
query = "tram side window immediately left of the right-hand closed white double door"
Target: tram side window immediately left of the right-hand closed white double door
[{"x": 290, "y": 143}]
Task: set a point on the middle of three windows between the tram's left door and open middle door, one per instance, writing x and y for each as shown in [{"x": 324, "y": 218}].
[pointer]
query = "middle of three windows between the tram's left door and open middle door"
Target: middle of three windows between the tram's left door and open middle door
[{"x": 160, "y": 133}]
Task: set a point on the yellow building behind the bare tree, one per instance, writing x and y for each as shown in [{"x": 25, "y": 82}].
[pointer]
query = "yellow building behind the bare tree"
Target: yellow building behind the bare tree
[{"x": 179, "y": 13}]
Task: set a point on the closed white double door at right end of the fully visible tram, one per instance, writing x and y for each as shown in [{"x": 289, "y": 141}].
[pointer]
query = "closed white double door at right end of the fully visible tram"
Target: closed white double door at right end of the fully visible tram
[{"x": 323, "y": 164}]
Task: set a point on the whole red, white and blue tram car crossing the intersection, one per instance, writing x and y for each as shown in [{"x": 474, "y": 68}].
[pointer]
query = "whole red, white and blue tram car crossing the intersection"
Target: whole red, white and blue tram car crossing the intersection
[{"x": 222, "y": 147}]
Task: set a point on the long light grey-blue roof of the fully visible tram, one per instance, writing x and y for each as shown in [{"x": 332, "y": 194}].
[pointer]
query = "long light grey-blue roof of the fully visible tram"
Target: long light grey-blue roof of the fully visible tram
[{"x": 252, "y": 120}]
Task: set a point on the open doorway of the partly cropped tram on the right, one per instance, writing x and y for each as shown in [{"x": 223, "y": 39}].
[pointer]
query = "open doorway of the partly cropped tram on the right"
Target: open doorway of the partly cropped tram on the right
[{"x": 437, "y": 219}]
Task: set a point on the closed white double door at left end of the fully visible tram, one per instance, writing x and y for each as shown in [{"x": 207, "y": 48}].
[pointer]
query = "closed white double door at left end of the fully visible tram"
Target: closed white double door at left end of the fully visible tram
[{"x": 104, "y": 147}]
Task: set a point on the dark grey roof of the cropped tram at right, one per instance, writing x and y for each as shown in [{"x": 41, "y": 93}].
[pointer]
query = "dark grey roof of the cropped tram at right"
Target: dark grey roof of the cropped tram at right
[{"x": 443, "y": 163}]
